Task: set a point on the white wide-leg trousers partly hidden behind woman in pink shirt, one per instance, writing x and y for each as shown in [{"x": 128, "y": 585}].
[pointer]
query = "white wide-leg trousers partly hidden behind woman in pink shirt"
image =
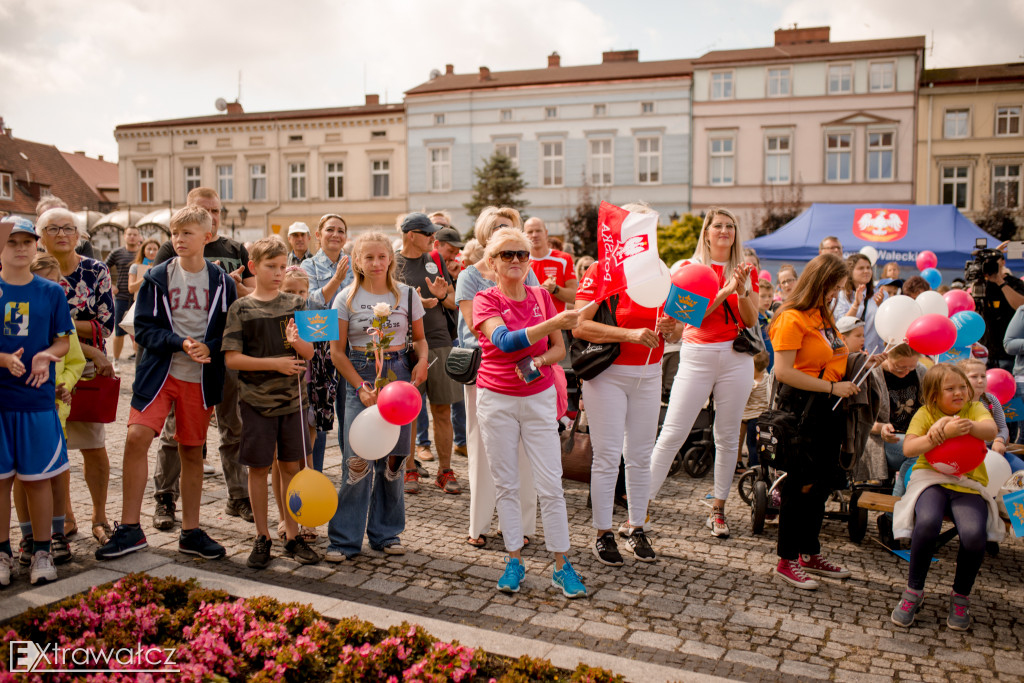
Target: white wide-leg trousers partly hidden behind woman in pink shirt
[{"x": 482, "y": 485}]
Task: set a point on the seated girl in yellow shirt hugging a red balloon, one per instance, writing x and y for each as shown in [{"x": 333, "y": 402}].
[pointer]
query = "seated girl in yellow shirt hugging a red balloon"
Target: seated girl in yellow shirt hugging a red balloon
[{"x": 950, "y": 431}]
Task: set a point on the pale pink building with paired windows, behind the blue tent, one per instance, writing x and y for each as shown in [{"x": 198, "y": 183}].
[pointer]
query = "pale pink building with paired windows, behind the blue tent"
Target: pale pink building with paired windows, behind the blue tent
[{"x": 808, "y": 119}]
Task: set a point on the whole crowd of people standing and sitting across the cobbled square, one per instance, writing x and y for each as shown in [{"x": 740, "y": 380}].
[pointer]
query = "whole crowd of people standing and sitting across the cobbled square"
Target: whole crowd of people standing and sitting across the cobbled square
[{"x": 214, "y": 331}]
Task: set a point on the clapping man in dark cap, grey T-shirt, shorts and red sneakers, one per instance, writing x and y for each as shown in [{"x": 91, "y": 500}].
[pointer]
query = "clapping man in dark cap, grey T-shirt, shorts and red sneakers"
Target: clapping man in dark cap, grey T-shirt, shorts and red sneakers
[{"x": 416, "y": 268}]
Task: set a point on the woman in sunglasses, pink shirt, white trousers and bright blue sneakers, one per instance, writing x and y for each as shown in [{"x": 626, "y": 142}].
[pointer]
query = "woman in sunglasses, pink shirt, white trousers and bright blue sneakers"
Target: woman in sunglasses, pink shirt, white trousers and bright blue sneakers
[{"x": 521, "y": 340}]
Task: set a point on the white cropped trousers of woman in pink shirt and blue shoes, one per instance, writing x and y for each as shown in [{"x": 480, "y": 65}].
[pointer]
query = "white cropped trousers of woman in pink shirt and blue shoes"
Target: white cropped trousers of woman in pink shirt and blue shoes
[{"x": 505, "y": 421}]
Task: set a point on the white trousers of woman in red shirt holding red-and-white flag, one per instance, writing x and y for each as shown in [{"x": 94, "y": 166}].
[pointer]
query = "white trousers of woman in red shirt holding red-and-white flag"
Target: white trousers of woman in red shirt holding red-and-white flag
[{"x": 622, "y": 405}]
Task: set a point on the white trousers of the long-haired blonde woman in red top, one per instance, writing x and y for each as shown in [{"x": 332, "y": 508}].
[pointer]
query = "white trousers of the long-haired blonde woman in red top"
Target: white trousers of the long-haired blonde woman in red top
[{"x": 705, "y": 369}]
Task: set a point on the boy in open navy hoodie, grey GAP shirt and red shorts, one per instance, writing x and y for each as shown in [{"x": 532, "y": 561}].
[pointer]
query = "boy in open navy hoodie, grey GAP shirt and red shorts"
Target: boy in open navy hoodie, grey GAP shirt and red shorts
[{"x": 181, "y": 314}]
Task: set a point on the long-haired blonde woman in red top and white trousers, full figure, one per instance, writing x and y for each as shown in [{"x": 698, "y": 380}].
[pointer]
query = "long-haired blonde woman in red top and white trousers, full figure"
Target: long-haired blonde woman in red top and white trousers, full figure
[{"x": 708, "y": 363}]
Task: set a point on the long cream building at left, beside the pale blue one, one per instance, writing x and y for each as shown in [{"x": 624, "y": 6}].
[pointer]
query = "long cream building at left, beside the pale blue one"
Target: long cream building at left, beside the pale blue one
[{"x": 278, "y": 166}]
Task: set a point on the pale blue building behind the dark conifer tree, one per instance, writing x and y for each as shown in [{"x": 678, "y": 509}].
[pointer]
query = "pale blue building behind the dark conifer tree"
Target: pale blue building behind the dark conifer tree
[{"x": 622, "y": 126}]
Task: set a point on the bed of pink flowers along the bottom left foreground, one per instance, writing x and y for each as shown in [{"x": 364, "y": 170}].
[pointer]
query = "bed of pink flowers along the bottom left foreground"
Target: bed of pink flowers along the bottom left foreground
[{"x": 143, "y": 622}]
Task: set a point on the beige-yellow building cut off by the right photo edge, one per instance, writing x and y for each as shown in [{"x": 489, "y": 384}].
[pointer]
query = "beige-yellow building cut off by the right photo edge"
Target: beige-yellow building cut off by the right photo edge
[{"x": 971, "y": 138}]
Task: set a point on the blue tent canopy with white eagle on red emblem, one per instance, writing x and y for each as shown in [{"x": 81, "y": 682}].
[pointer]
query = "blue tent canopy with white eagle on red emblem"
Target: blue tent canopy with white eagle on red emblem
[{"x": 899, "y": 232}]
